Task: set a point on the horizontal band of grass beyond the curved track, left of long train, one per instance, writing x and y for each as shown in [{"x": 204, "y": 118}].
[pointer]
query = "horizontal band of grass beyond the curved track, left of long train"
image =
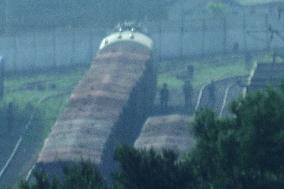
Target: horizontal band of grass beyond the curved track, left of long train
[{"x": 16, "y": 86}]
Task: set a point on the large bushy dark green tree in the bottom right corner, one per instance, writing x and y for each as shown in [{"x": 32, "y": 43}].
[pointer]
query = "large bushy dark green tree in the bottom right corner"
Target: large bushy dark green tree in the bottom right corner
[{"x": 246, "y": 151}]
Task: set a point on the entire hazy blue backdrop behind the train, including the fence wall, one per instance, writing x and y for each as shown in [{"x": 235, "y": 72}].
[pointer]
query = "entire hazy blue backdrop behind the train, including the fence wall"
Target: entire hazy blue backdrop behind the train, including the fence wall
[{"x": 37, "y": 33}]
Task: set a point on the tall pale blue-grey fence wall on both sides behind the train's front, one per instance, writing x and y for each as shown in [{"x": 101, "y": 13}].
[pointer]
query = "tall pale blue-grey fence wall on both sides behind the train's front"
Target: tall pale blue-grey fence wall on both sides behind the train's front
[{"x": 38, "y": 49}]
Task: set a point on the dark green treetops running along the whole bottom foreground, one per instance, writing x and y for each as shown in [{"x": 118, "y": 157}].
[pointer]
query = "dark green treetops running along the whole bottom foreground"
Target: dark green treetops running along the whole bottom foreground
[{"x": 245, "y": 151}]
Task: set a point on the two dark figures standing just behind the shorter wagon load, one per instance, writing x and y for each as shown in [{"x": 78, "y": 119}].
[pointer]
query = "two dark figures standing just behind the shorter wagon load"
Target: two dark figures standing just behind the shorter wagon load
[{"x": 187, "y": 92}]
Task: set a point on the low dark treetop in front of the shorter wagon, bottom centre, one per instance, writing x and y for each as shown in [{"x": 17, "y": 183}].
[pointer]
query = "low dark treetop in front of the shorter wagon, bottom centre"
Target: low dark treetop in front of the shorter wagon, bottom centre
[{"x": 139, "y": 169}]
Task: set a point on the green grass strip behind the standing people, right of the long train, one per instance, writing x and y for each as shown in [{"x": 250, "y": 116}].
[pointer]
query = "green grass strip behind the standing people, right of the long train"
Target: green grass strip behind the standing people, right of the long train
[{"x": 205, "y": 70}]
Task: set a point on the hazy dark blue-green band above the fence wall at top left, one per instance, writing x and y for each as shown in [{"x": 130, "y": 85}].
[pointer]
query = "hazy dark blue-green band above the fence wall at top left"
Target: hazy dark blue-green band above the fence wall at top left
[{"x": 42, "y": 13}]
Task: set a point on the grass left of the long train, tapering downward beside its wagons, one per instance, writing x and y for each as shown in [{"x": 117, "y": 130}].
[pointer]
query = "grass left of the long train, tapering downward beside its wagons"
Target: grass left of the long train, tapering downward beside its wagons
[{"x": 16, "y": 91}]
